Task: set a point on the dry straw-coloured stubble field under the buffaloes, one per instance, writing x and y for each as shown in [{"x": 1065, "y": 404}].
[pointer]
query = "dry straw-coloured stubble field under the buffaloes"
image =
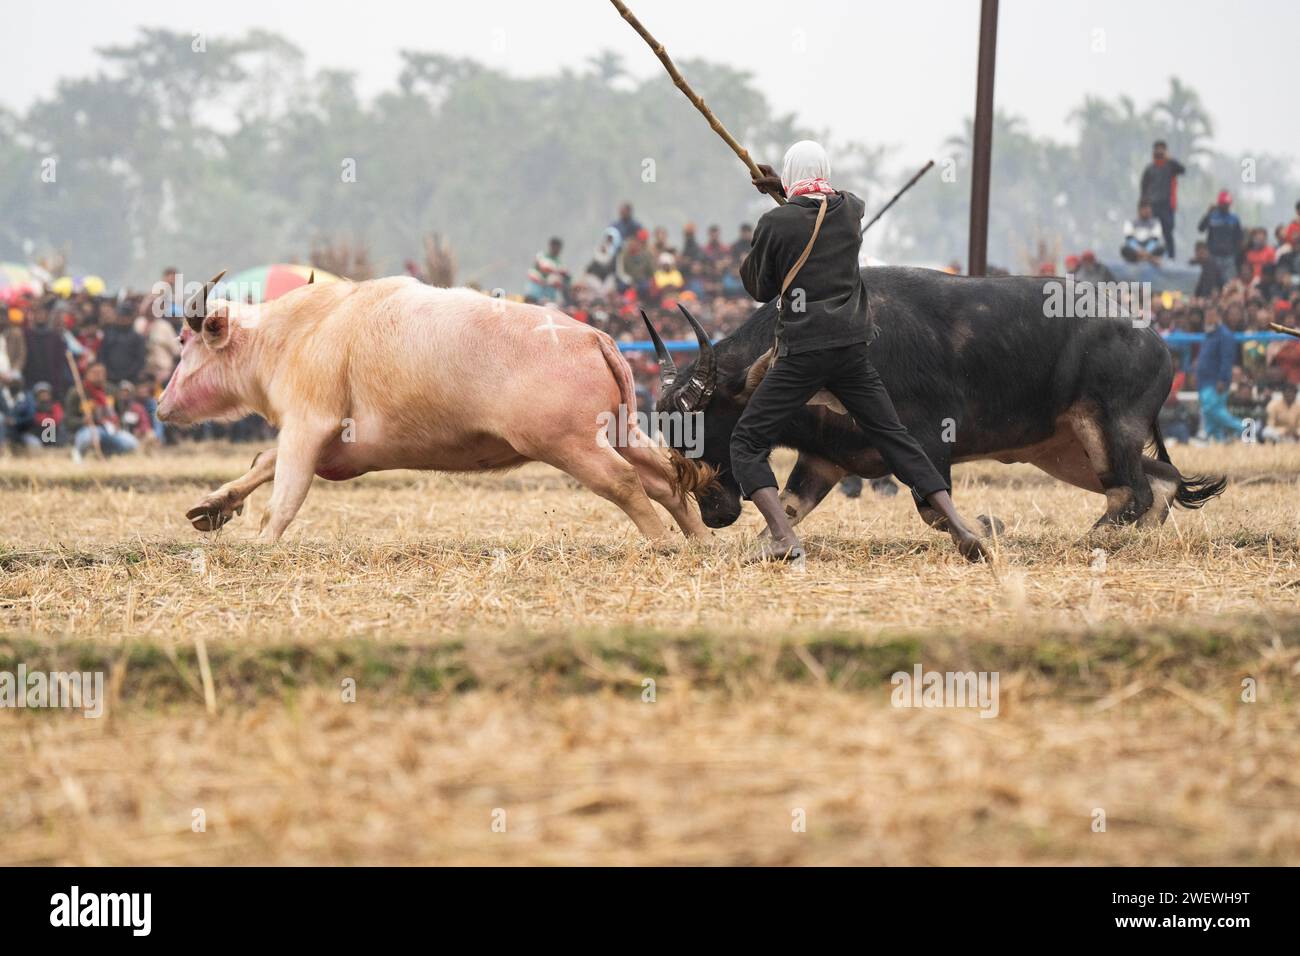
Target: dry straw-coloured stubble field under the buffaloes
[{"x": 501, "y": 631}]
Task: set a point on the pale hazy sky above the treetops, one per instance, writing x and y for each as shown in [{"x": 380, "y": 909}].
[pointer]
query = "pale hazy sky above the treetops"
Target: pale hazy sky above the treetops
[{"x": 899, "y": 73}]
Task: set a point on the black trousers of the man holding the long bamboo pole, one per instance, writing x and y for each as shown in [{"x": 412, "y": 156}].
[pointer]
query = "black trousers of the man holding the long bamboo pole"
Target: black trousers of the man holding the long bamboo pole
[{"x": 847, "y": 374}]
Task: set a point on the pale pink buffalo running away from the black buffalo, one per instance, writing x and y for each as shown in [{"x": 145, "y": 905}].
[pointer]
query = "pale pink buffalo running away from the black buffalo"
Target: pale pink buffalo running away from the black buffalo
[{"x": 393, "y": 374}]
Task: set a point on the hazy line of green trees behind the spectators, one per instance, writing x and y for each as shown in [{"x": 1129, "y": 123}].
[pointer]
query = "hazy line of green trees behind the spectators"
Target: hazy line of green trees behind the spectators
[{"x": 220, "y": 153}]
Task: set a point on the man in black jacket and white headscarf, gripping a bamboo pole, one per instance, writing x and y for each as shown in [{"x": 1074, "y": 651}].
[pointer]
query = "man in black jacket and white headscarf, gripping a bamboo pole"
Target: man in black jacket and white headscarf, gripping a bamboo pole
[{"x": 822, "y": 336}]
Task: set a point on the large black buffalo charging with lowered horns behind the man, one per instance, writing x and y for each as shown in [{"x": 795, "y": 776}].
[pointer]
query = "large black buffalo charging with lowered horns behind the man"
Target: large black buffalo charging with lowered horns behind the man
[{"x": 978, "y": 369}]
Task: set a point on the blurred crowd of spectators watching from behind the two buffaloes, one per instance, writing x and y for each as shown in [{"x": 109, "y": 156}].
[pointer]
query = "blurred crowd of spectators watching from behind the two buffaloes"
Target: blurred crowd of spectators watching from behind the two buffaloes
[{"x": 84, "y": 370}]
